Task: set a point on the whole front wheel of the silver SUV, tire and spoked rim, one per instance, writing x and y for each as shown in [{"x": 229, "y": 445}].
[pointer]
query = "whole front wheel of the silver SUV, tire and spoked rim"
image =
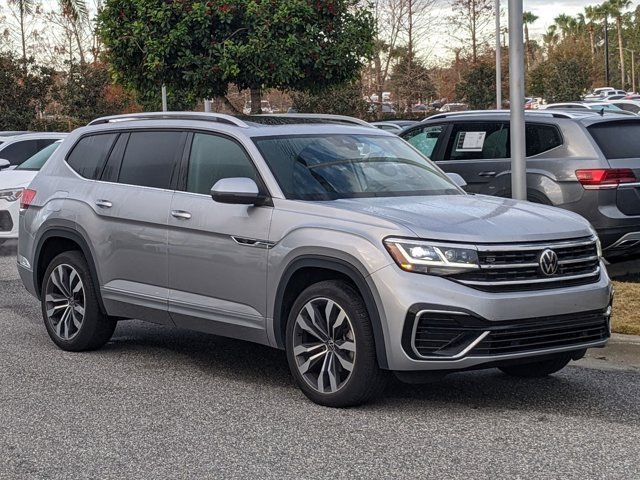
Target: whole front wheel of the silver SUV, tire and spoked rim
[{"x": 330, "y": 346}]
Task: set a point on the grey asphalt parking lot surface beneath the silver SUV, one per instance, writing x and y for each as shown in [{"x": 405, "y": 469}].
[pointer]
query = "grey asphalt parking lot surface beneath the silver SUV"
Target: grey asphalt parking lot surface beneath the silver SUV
[{"x": 163, "y": 403}]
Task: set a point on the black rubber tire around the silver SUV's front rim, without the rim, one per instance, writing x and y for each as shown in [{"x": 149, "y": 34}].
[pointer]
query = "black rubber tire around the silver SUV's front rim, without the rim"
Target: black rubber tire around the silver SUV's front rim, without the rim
[{"x": 366, "y": 379}]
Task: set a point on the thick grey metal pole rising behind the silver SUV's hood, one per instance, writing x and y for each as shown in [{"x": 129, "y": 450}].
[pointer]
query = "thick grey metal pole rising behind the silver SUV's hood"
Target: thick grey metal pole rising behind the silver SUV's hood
[{"x": 516, "y": 90}]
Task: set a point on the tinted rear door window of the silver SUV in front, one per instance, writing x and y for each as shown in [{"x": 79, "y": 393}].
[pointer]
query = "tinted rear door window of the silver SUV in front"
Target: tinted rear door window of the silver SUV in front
[{"x": 150, "y": 158}]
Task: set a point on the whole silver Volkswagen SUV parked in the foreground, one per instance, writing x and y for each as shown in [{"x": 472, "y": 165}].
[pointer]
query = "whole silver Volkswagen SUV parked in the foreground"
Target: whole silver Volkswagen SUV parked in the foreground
[{"x": 332, "y": 240}]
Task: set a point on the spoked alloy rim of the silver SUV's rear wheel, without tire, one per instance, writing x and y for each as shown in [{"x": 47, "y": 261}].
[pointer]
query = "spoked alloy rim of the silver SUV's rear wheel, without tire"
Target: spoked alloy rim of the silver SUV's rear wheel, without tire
[{"x": 65, "y": 301}]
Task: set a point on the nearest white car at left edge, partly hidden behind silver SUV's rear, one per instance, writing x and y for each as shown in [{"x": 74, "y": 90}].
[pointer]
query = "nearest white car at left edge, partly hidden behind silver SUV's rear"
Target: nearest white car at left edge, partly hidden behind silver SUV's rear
[{"x": 12, "y": 183}]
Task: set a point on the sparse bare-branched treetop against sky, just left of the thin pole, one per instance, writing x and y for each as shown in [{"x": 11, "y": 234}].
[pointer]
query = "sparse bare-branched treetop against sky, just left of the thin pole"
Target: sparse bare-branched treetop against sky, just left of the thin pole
[{"x": 470, "y": 19}]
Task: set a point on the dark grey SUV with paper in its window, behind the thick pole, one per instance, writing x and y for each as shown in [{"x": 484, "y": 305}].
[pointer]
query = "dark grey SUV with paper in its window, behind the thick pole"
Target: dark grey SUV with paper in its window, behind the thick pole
[{"x": 579, "y": 161}]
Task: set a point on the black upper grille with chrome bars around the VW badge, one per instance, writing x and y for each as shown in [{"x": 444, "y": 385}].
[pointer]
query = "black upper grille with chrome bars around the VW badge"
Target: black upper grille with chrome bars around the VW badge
[{"x": 507, "y": 268}]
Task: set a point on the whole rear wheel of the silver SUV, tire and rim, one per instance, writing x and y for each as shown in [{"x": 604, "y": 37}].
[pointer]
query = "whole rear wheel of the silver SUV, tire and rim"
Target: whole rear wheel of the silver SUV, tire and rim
[{"x": 70, "y": 305}]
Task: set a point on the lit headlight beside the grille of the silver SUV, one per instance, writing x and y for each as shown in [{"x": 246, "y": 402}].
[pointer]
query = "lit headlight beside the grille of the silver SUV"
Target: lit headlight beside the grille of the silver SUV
[{"x": 432, "y": 257}]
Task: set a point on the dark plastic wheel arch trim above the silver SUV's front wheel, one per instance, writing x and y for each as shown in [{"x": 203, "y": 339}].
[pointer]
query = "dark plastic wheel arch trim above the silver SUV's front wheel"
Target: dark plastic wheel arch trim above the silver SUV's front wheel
[{"x": 342, "y": 268}]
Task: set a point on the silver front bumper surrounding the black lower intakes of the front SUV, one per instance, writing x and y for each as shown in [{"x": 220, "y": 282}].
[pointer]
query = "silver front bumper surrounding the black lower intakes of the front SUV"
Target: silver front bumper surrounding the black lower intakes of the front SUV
[{"x": 401, "y": 292}]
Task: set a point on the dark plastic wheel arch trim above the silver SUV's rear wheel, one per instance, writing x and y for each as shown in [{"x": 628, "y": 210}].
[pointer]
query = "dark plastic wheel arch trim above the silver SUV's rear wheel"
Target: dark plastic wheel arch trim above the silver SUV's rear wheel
[{"x": 59, "y": 238}]
